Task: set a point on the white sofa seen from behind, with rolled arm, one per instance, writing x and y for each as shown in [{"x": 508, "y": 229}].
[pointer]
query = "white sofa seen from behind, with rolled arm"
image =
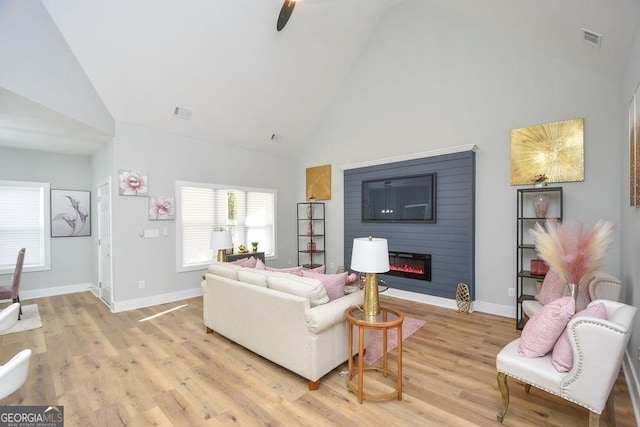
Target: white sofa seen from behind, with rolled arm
[{"x": 282, "y": 317}]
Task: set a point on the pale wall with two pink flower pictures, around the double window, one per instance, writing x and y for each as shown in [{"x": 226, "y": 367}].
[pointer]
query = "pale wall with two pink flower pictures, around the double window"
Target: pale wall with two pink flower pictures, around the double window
[{"x": 165, "y": 158}]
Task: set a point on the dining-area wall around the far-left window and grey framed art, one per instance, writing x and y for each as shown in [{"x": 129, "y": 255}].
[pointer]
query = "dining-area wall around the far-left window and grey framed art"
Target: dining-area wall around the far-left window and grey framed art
[{"x": 71, "y": 257}]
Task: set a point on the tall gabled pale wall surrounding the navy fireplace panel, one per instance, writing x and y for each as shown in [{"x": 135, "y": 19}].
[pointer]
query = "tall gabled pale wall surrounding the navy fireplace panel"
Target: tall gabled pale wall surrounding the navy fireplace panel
[{"x": 428, "y": 80}]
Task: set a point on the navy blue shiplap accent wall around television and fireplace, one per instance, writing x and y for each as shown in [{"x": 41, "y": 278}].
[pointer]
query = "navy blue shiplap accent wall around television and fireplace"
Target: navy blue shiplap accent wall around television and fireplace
[{"x": 450, "y": 240}]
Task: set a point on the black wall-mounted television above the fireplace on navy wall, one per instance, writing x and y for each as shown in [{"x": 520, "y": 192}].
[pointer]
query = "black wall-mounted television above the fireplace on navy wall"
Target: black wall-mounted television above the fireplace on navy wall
[{"x": 400, "y": 199}]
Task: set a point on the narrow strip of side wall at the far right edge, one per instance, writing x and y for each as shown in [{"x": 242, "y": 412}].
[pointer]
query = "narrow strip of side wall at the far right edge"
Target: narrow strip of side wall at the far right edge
[{"x": 630, "y": 224}]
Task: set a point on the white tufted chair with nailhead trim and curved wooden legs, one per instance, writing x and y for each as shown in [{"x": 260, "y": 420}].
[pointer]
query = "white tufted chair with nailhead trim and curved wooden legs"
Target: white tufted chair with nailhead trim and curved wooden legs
[{"x": 598, "y": 347}]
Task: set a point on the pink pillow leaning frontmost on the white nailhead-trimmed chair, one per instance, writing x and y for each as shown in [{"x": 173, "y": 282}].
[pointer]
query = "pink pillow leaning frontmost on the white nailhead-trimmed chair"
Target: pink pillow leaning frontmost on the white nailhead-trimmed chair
[{"x": 541, "y": 332}]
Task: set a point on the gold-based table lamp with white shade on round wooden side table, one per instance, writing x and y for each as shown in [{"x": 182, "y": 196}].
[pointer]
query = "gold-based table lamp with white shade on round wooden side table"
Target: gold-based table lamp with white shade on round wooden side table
[{"x": 371, "y": 256}]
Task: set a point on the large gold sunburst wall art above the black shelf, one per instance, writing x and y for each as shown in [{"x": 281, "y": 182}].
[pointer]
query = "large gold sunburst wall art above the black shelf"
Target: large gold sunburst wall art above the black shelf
[{"x": 552, "y": 149}]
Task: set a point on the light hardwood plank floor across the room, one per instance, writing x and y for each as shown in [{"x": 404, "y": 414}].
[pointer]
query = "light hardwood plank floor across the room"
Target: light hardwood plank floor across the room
[{"x": 138, "y": 370}]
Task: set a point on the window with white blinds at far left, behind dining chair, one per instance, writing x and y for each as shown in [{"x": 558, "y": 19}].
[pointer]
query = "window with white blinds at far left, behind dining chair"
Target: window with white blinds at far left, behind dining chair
[{"x": 24, "y": 223}]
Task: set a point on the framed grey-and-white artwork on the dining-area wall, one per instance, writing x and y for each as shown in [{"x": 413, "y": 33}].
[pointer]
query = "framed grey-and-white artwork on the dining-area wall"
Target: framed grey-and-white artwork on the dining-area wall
[{"x": 70, "y": 213}]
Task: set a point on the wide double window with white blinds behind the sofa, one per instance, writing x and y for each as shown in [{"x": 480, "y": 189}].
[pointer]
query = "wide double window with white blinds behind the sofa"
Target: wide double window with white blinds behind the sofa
[{"x": 249, "y": 214}]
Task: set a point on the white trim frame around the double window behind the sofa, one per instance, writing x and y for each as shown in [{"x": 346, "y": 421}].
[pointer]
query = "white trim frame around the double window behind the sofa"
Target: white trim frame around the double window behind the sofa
[{"x": 179, "y": 267}]
